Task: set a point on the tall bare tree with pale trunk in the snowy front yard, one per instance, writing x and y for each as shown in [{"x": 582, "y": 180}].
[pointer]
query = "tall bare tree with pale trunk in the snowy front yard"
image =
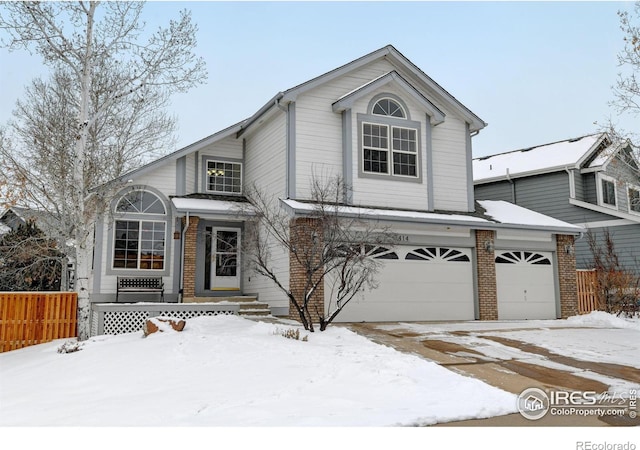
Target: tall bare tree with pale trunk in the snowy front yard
[{"x": 107, "y": 75}]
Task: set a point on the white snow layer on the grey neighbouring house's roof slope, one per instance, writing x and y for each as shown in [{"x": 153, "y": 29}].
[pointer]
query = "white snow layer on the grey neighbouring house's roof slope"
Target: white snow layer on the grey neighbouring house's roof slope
[{"x": 544, "y": 158}]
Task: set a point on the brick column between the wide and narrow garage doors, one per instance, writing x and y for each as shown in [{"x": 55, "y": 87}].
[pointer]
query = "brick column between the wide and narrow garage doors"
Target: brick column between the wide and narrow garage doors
[{"x": 486, "y": 265}]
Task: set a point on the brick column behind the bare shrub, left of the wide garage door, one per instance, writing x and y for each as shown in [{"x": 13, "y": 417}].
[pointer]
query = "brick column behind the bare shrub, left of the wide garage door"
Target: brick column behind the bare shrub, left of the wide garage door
[{"x": 303, "y": 232}]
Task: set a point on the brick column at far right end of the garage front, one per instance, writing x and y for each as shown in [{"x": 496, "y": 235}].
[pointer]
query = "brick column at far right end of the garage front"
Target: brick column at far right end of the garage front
[{"x": 567, "y": 275}]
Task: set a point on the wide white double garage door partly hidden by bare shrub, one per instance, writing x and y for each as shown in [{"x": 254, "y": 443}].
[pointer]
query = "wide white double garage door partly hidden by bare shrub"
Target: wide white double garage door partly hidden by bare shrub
[{"x": 415, "y": 284}]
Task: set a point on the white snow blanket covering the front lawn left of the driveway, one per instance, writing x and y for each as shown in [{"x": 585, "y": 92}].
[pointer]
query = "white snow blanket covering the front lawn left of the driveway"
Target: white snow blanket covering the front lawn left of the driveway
[{"x": 229, "y": 371}]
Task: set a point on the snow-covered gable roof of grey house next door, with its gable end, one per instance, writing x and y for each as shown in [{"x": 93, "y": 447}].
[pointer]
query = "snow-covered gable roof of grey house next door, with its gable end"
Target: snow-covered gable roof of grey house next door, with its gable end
[{"x": 568, "y": 154}]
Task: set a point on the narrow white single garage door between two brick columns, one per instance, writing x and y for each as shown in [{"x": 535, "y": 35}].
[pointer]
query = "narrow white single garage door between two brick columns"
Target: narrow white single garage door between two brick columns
[{"x": 525, "y": 285}]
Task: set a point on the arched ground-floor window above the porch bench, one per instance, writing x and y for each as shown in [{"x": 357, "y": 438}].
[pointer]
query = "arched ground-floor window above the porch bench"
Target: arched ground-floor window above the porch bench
[{"x": 140, "y": 232}]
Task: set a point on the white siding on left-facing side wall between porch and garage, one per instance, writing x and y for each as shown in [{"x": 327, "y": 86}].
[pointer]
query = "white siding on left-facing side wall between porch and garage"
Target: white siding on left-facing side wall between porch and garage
[{"x": 265, "y": 165}]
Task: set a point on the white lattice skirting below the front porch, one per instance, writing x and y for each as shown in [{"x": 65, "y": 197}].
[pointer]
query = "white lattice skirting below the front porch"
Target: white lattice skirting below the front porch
[{"x": 111, "y": 318}]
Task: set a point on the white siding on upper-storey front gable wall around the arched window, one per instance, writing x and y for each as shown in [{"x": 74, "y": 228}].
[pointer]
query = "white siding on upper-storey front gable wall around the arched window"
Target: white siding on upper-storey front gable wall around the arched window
[{"x": 319, "y": 147}]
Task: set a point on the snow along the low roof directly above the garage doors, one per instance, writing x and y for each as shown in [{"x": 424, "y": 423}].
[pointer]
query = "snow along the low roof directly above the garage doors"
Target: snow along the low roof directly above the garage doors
[{"x": 499, "y": 214}]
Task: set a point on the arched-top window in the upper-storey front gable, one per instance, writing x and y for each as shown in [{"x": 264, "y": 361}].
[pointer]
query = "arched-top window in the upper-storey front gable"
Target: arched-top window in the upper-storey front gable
[{"x": 389, "y": 141}]
